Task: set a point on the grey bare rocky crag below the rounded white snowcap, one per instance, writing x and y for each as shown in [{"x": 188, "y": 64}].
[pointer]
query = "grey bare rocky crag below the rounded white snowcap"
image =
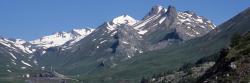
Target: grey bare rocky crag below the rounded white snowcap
[{"x": 129, "y": 42}]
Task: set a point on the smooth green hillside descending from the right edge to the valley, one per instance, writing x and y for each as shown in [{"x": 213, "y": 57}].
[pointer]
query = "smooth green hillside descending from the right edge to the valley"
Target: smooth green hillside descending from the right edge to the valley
[{"x": 173, "y": 57}]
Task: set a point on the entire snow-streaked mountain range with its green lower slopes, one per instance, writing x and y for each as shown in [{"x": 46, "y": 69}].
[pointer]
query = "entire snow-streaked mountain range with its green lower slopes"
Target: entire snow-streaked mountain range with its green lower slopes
[{"x": 125, "y": 49}]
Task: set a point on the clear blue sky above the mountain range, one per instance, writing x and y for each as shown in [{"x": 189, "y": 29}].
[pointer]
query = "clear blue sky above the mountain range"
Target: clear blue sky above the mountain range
[{"x": 31, "y": 19}]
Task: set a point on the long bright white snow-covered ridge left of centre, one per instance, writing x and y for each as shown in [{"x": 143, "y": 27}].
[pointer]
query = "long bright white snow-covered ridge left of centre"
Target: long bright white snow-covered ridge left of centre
[{"x": 60, "y": 38}]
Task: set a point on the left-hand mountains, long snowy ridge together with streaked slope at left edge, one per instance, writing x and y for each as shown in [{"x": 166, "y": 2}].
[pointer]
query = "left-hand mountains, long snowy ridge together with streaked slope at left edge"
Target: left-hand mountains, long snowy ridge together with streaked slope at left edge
[{"x": 18, "y": 56}]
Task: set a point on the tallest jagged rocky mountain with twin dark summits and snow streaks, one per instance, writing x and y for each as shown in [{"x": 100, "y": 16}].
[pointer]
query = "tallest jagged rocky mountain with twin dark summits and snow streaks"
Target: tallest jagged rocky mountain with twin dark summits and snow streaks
[{"x": 162, "y": 26}]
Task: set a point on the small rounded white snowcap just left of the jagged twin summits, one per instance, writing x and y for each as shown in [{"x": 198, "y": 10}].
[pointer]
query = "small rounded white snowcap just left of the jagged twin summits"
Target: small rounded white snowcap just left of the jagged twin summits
[{"x": 124, "y": 19}]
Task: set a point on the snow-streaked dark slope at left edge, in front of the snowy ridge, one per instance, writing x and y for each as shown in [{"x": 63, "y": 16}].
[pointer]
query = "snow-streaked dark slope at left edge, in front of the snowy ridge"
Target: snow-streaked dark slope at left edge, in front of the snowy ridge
[{"x": 15, "y": 59}]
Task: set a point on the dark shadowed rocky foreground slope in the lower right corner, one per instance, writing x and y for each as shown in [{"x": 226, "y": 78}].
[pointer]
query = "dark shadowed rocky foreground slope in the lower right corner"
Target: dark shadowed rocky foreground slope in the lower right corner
[{"x": 233, "y": 66}]
